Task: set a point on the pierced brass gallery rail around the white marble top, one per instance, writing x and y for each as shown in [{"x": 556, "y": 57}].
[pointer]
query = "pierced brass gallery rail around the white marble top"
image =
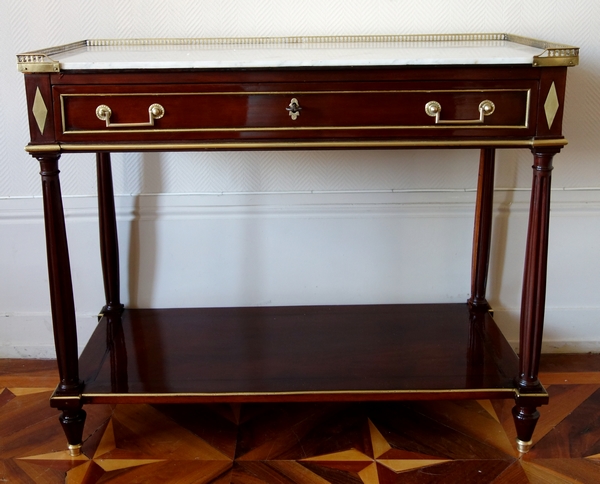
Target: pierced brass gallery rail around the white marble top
[{"x": 554, "y": 54}]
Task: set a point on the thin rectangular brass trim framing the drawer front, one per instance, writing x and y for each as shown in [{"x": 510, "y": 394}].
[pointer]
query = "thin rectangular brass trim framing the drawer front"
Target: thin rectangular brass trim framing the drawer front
[{"x": 289, "y": 93}]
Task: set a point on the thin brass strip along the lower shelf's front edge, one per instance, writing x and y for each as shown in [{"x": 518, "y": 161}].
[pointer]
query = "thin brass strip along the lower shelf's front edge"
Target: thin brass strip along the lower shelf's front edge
[{"x": 293, "y": 393}]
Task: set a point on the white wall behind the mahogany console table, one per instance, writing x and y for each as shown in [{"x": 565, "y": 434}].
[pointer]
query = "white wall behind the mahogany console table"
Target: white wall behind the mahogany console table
[{"x": 300, "y": 228}]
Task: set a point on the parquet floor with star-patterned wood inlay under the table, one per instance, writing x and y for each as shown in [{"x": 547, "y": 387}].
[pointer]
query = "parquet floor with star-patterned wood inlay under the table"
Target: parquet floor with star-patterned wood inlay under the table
[{"x": 441, "y": 442}]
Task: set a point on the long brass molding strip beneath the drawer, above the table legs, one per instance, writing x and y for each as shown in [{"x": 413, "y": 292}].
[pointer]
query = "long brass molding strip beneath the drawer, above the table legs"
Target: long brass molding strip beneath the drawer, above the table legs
[{"x": 261, "y": 145}]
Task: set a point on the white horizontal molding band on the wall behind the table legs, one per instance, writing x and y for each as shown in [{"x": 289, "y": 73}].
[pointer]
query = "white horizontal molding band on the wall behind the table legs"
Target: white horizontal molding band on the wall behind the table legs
[{"x": 417, "y": 202}]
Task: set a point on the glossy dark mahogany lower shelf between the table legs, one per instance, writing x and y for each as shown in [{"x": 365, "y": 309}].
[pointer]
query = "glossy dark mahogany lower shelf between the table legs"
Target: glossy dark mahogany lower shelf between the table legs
[{"x": 301, "y": 353}]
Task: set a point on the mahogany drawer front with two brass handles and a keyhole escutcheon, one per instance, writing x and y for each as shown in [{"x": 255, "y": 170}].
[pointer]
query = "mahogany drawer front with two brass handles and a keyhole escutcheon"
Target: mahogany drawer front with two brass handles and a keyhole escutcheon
[{"x": 167, "y": 113}]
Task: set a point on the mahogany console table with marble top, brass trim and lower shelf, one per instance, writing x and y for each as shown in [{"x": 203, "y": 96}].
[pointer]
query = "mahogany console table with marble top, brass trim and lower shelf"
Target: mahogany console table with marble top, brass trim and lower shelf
[{"x": 480, "y": 91}]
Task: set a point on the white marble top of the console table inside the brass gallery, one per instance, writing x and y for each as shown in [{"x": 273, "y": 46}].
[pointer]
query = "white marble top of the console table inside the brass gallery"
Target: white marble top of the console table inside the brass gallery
[{"x": 315, "y": 54}]
